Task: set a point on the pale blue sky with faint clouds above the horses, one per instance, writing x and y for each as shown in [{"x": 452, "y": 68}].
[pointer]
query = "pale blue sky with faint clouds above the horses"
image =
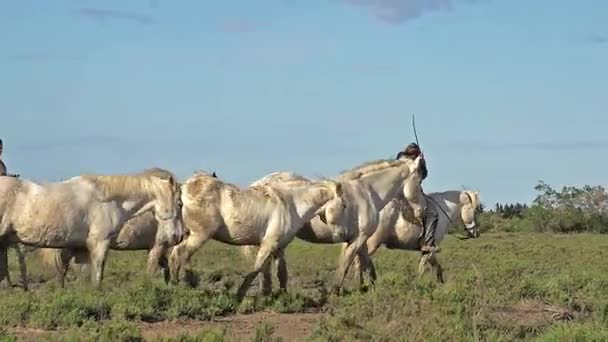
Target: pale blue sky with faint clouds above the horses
[{"x": 505, "y": 92}]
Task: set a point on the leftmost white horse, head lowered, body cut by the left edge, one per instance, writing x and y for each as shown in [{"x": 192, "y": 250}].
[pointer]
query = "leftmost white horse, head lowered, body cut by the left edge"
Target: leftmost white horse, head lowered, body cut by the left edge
[{"x": 85, "y": 213}]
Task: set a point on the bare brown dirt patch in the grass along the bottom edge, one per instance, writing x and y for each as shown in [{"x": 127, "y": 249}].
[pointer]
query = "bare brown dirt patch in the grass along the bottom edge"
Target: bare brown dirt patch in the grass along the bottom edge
[{"x": 289, "y": 327}]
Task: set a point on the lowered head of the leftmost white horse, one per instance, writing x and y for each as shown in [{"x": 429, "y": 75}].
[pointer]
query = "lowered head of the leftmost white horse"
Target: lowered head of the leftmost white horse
[{"x": 167, "y": 203}]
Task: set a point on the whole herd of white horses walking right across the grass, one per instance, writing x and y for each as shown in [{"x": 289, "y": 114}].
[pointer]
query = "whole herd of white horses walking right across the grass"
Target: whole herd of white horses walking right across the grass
[{"x": 82, "y": 218}]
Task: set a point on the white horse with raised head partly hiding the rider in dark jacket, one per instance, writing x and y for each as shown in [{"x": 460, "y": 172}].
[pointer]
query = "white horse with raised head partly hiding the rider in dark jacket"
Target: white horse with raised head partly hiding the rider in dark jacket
[{"x": 367, "y": 189}]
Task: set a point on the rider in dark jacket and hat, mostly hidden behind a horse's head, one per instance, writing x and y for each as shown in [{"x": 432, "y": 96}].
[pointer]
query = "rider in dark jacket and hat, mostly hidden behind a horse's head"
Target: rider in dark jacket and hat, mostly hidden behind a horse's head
[{"x": 430, "y": 218}]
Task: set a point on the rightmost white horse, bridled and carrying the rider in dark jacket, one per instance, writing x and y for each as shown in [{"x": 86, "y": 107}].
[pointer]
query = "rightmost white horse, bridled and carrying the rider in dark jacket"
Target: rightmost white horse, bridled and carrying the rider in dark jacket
[{"x": 398, "y": 230}]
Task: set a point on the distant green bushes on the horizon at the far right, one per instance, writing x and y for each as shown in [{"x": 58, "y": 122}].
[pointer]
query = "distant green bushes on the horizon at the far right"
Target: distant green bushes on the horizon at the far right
[{"x": 570, "y": 210}]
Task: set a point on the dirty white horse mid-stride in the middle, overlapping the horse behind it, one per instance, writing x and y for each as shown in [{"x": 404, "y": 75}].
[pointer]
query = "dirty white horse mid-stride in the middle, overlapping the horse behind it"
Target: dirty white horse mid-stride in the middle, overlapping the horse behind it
[{"x": 268, "y": 217}]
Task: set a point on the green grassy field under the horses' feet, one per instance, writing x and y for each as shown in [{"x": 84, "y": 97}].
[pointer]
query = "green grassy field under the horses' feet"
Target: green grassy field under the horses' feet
[{"x": 501, "y": 287}]
